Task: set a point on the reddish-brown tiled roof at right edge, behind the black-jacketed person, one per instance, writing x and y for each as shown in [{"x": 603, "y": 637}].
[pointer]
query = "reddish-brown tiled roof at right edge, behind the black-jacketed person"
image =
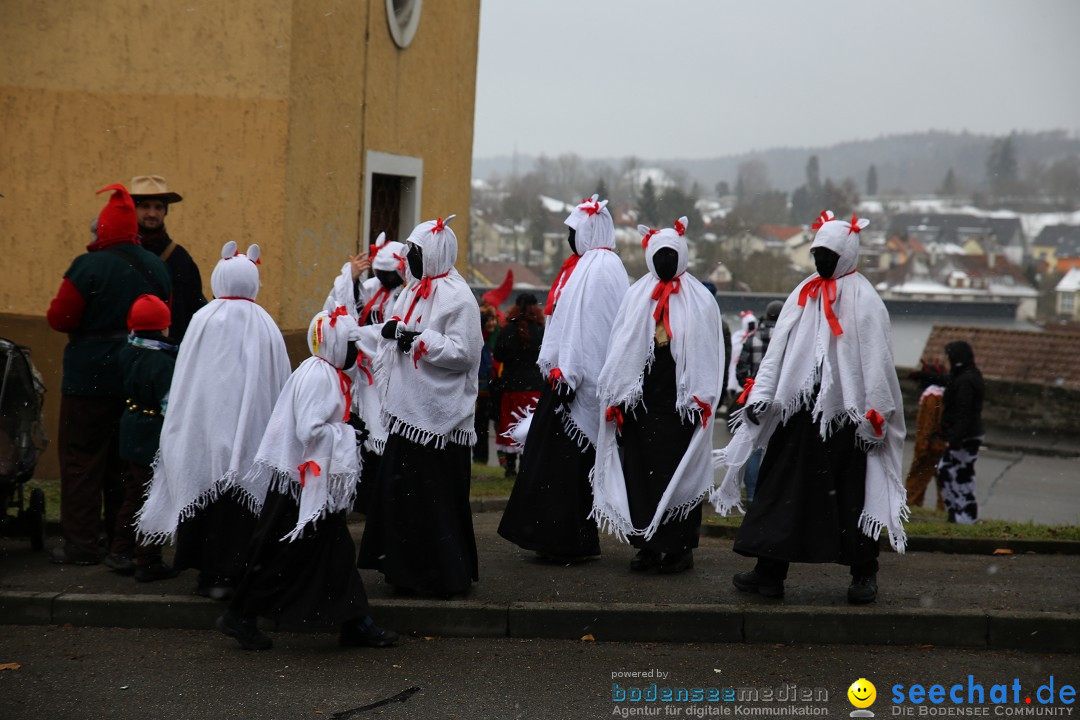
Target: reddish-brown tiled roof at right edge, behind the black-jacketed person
[{"x": 1043, "y": 359}]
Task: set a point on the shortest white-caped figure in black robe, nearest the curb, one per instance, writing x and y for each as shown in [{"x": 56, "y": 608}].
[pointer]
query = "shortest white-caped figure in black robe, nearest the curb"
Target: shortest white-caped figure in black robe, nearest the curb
[{"x": 301, "y": 565}]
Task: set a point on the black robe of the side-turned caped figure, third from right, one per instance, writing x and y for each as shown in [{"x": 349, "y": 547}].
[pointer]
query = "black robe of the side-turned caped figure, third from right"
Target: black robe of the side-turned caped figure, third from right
[{"x": 549, "y": 508}]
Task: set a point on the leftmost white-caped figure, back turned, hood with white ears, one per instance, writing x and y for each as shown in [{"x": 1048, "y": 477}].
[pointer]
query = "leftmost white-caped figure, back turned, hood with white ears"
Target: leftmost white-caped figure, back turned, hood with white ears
[{"x": 229, "y": 372}]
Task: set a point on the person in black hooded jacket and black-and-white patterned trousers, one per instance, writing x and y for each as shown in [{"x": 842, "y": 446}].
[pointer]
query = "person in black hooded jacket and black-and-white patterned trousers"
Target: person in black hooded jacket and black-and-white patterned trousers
[{"x": 963, "y": 429}]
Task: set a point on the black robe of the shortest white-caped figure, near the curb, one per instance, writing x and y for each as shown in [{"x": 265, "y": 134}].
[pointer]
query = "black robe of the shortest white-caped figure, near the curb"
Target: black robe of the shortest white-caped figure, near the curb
[{"x": 310, "y": 581}]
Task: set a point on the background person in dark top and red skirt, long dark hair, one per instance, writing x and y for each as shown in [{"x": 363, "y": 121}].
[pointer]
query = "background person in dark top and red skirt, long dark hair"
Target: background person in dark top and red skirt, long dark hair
[{"x": 521, "y": 383}]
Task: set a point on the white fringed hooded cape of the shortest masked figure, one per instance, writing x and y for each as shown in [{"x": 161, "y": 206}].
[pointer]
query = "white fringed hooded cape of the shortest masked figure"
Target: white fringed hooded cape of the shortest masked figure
[{"x": 308, "y": 427}]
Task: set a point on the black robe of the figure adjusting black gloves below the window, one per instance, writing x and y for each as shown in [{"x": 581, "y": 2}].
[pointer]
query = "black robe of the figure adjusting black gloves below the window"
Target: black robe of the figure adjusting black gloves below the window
[{"x": 420, "y": 532}]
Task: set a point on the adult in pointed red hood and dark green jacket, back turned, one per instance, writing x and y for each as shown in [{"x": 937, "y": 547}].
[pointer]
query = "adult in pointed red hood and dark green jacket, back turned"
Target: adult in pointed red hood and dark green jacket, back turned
[{"x": 92, "y": 308}]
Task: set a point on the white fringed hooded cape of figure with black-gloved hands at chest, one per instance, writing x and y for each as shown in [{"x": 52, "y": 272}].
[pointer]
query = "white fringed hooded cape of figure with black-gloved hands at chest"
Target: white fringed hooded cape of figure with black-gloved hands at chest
[{"x": 430, "y": 395}]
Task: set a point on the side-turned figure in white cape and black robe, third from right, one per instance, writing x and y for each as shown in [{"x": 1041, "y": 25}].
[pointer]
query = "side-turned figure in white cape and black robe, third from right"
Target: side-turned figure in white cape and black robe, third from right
[{"x": 549, "y": 508}]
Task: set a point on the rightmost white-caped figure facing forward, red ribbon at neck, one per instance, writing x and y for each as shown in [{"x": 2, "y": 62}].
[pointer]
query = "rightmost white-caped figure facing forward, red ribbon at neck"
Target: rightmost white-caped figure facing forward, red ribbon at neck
[{"x": 827, "y": 406}]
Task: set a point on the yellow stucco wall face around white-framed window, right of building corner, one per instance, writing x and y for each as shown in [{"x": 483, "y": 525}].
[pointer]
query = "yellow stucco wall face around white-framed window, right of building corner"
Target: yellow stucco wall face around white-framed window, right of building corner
[{"x": 417, "y": 102}]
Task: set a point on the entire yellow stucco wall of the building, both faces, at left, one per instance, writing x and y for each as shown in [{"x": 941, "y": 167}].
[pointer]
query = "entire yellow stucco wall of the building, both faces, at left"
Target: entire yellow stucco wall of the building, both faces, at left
[{"x": 260, "y": 113}]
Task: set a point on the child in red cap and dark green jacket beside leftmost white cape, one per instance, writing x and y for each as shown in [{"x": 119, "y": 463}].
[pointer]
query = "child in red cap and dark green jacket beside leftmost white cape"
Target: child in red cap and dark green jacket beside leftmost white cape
[{"x": 147, "y": 363}]
